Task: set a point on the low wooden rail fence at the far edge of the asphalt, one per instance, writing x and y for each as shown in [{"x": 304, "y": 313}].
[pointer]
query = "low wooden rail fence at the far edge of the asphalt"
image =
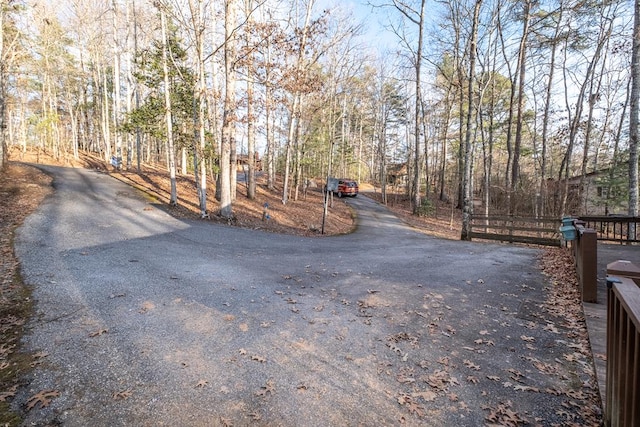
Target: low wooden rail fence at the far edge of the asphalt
[{"x": 537, "y": 231}]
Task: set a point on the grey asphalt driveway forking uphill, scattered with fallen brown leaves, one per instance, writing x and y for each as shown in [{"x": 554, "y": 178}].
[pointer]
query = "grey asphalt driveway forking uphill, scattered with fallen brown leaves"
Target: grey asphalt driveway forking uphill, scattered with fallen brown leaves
[{"x": 150, "y": 320}]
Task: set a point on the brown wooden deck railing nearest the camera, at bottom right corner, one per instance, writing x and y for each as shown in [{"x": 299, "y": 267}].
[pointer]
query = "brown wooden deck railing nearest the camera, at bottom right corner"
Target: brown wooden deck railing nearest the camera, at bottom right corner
[{"x": 622, "y": 403}]
